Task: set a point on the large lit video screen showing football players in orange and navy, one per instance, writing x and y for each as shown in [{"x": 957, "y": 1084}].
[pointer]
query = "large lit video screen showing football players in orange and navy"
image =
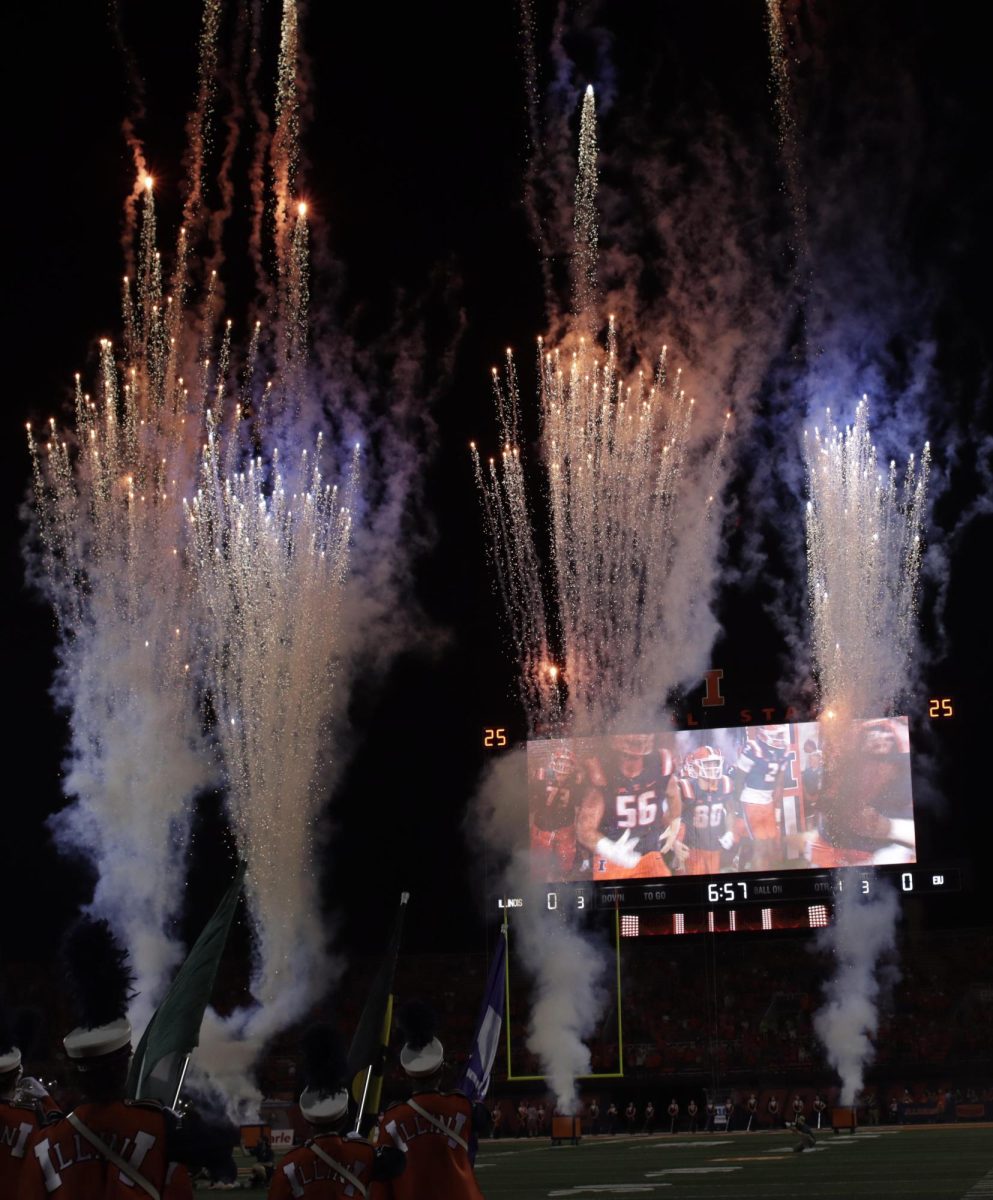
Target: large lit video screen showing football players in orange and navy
[{"x": 648, "y": 806}]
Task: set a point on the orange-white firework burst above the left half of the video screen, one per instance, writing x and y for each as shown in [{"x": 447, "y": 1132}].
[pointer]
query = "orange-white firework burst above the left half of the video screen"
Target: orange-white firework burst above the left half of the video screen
[{"x": 623, "y": 616}]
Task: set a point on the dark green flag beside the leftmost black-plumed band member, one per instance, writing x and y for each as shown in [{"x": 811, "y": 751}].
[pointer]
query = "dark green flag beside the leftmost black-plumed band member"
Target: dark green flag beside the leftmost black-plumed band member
[{"x": 174, "y": 1031}]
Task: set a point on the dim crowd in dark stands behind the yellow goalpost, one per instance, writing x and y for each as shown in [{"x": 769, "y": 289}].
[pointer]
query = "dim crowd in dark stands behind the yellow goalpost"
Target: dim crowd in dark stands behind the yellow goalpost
[{"x": 732, "y": 1012}]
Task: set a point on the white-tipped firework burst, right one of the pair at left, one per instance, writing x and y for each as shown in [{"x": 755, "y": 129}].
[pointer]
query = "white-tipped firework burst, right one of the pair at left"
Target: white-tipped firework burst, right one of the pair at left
[{"x": 270, "y": 553}]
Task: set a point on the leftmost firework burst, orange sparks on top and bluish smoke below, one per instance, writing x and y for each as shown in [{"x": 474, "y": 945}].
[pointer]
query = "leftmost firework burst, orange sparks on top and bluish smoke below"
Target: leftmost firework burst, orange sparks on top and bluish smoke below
[{"x": 111, "y": 523}]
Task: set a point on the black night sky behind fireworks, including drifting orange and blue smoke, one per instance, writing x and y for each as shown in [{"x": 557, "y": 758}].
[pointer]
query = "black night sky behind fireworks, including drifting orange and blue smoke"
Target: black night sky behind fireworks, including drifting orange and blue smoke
[{"x": 418, "y": 152}]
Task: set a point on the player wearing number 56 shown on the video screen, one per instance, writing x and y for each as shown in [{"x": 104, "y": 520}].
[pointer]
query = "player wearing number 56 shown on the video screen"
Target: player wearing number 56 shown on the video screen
[{"x": 630, "y": 813}]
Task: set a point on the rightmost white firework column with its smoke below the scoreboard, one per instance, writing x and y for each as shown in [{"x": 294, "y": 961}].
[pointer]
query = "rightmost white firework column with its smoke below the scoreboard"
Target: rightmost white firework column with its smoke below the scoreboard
[{"x": 864, "y": 560}]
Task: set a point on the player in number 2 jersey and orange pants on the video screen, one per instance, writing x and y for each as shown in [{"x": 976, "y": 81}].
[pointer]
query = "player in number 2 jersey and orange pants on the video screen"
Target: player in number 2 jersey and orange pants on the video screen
[{"x": 761, "y": 769}]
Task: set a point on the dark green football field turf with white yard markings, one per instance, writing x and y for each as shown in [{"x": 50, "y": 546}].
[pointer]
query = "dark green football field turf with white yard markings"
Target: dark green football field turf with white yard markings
[{"x": 924, "y": 1163}]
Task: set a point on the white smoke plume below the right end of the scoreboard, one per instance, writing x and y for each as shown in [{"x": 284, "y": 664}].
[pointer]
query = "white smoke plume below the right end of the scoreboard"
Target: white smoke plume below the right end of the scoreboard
[{"x": 863, "y": 934}]
